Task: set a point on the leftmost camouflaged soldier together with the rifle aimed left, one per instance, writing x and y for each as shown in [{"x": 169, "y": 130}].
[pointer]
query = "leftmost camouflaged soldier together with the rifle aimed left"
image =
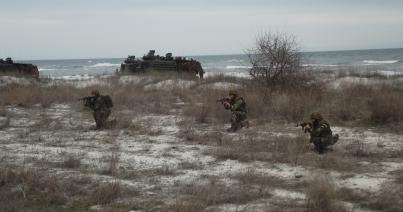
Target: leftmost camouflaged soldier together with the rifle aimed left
[{"x": 101, "y": 107}]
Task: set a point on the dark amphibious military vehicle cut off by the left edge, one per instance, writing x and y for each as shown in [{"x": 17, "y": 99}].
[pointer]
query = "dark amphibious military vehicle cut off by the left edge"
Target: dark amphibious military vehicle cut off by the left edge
[{"x": 9, "y": 68}]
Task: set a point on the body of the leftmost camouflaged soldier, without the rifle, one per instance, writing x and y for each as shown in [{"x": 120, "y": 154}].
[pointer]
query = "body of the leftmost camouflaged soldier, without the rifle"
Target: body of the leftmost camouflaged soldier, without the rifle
[{"x": 100, "y": 108}]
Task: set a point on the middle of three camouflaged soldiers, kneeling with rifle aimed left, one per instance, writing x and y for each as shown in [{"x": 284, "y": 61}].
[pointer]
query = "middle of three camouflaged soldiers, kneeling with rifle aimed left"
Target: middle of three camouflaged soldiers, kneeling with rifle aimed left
[{"x": 237, "y": 105}]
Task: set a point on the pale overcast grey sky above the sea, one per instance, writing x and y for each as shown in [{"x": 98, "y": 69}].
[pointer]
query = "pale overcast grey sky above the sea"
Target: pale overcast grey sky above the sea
[{"x": 67, "y": 29}]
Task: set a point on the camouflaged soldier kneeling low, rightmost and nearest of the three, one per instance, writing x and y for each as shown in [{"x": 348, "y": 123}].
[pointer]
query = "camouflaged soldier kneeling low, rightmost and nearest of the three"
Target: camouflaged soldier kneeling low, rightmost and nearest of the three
[{"x": 321, "y": 134}]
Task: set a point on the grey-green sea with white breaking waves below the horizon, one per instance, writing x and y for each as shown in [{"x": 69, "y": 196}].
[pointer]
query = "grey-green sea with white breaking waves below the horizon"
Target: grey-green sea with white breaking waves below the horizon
[{"x": 387, "y": 61}]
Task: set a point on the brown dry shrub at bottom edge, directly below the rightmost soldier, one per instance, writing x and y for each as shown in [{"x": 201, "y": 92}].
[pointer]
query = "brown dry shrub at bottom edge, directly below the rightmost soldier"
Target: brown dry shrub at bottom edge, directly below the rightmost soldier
[{"x": 321, "y": 195}]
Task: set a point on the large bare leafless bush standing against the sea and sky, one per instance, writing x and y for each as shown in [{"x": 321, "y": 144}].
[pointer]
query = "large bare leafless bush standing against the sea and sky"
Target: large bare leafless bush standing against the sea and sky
[{"x": 276, "y": 62}]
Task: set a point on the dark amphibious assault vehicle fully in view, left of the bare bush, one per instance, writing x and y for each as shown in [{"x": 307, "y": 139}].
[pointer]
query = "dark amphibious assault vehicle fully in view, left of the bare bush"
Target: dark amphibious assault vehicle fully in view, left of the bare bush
[{"x": 161, "y": 63}]
